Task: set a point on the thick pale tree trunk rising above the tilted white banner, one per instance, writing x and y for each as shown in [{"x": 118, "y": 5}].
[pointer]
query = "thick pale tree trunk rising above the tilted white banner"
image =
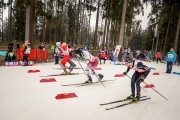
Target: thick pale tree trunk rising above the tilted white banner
[{"x": 121, "y": 35}]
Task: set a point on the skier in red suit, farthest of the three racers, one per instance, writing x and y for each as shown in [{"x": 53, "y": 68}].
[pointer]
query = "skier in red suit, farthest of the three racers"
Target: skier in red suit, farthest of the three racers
[{"x": 65, "y": 50}]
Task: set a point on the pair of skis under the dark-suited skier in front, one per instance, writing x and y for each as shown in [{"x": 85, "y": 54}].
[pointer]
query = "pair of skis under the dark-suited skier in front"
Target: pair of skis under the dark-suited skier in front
[{"x": 131, "y": 101}]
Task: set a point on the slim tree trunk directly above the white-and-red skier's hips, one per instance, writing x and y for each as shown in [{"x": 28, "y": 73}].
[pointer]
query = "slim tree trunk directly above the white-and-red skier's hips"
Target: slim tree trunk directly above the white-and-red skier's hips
[{"x": 96, "y": 29}]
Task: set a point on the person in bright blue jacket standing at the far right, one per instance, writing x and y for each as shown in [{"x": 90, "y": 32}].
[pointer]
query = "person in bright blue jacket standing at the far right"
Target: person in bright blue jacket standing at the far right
[{"x": 170, "y": 58}]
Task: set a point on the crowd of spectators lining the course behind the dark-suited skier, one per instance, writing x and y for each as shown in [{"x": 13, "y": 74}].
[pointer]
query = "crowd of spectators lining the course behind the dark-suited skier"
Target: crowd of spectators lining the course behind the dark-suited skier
[{"x": 125, "y": 53}]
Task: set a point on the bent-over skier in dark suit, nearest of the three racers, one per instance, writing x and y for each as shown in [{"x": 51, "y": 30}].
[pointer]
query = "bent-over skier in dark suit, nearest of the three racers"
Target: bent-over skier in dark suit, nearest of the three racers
[{"x": 141, "y": 72}]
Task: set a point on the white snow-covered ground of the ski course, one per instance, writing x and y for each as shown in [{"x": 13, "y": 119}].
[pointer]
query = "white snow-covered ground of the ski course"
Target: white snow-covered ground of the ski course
[{"x": 24, "y": 97}]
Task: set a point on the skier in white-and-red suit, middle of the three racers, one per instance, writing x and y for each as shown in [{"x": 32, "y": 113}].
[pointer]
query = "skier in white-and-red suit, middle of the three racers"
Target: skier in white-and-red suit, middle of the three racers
[{"x": 91, "y": 65}]
